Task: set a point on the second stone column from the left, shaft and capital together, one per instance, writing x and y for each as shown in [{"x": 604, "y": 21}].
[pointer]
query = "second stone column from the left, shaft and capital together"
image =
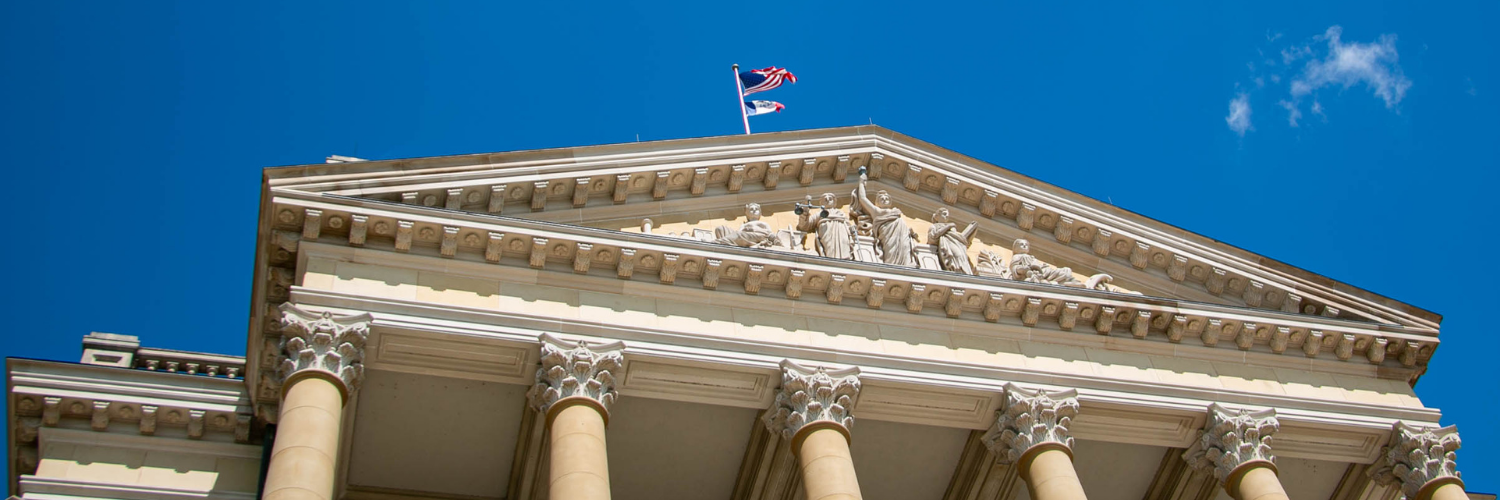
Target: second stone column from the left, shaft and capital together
[{"x": 575, "y": 388}]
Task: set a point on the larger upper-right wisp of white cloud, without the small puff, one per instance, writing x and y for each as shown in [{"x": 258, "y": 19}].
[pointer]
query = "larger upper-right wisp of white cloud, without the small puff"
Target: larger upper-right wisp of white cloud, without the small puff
[{"x": 1346, "y": 65}]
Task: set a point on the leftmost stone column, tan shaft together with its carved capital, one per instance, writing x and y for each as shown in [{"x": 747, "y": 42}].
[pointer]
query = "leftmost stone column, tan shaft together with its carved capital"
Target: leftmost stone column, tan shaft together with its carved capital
[{"x": 322, "y": 366}]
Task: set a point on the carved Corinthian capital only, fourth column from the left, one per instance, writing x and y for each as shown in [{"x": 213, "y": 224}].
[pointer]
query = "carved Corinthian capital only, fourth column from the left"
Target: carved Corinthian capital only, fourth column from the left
[{"x": 1031, "y": 420}]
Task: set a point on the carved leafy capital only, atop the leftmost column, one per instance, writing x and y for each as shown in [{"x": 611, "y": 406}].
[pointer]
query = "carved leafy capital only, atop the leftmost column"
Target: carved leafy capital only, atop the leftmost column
[{"x": 322, "y": 345}]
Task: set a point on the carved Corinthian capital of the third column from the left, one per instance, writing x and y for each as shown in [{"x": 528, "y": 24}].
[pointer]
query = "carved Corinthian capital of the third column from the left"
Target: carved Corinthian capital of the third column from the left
[{"x": 814, "y": 399}]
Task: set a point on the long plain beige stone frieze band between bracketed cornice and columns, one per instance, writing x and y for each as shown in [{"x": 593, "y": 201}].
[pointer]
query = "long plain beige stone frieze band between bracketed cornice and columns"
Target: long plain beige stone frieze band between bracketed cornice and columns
[{"x": 928, "y": 339}]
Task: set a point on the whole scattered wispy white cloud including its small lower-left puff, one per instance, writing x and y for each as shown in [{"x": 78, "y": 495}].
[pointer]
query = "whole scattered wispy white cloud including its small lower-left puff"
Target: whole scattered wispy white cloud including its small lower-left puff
[{"x": 1322, "y": 62}]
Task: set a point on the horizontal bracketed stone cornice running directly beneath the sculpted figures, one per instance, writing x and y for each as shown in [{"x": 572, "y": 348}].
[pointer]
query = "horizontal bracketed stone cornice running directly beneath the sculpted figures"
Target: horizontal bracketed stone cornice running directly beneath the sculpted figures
[{"x": 514, "y": 242}]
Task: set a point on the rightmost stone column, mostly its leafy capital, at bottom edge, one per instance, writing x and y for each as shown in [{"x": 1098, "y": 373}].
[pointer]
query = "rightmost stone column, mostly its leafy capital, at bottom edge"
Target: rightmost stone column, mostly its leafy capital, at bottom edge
[{"x": 1423, "y": 462}]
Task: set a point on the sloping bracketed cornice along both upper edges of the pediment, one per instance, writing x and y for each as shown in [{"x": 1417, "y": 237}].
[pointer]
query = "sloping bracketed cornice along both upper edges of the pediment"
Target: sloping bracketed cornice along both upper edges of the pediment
[{"x": 923, "y": 169}]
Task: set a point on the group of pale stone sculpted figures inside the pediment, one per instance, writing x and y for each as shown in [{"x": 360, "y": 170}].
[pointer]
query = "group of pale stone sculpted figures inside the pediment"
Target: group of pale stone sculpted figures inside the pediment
[{"x": 877, "y": 232}]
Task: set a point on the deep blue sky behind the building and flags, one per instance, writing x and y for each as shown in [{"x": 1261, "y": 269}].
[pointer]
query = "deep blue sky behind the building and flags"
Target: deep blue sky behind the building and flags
[{"x": 134, "y": 133}]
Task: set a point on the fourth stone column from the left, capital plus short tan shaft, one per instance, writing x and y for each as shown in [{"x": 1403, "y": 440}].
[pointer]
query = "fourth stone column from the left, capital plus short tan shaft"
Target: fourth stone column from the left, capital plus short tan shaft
[{"x": 1033, "y": 435}]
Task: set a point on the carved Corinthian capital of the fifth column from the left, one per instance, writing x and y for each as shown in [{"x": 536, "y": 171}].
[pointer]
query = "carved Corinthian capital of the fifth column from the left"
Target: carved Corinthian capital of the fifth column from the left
[{"x": 1232, "y": 439}]
